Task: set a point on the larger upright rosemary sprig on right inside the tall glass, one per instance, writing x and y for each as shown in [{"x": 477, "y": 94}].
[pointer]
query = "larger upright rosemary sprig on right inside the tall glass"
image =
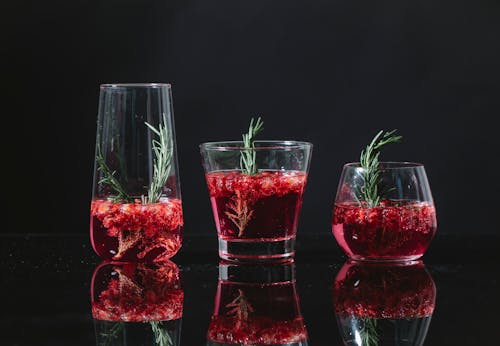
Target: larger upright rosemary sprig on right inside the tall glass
[{"x": 161, "y": 165}]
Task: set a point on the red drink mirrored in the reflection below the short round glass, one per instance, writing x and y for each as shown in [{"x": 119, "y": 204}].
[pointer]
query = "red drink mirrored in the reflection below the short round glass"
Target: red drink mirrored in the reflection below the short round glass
[{"x": 384, "y": 291}]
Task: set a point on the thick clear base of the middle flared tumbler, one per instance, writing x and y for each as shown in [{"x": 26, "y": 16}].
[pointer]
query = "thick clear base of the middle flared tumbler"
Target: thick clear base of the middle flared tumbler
[{"x": 251, "y": 250}]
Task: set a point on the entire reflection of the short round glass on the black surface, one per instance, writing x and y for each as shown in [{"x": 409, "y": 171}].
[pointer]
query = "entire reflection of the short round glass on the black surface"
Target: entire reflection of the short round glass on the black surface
[{"x": 384, "y": 304}]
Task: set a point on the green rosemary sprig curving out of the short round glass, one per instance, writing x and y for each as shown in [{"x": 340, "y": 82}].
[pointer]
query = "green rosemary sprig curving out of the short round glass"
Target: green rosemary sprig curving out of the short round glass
[{"x": 370, "y": 163}]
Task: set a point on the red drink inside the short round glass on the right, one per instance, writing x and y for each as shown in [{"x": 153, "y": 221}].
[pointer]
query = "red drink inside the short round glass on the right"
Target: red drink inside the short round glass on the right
[{"x": 391, "y": 231}]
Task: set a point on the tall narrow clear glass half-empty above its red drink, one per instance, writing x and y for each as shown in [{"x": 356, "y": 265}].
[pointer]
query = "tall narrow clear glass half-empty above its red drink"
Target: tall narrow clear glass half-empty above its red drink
[{"x": 136, "y": 210}]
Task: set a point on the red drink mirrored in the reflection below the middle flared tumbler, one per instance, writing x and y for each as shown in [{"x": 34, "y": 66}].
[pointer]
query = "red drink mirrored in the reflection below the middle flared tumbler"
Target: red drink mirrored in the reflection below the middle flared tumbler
[{"x": 251, "y": 314}]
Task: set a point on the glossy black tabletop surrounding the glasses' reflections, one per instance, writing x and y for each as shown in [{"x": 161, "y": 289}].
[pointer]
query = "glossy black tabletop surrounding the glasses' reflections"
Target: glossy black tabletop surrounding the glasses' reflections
[{"x": 46, "y": 298}]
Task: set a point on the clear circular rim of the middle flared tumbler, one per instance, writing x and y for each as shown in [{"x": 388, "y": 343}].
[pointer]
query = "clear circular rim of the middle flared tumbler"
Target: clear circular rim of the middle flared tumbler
[{"x": 262, "y": 145}]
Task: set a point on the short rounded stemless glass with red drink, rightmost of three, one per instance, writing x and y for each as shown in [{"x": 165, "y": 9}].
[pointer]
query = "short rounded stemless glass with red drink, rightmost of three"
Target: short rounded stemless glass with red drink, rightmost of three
[{"x": 400, "y": 227}]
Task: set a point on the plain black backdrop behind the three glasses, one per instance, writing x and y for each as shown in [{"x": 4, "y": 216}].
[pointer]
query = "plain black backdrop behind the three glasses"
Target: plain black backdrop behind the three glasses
[{"x": 329, "y": 72}]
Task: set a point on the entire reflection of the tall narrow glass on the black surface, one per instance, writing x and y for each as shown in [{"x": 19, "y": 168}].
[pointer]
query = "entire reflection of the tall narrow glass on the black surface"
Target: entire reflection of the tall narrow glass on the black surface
[{"x": 137, "y": 304}]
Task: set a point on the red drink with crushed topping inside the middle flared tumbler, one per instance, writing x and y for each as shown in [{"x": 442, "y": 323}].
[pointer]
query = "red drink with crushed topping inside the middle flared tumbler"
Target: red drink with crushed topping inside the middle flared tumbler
[{"x": 264, "y": 206}]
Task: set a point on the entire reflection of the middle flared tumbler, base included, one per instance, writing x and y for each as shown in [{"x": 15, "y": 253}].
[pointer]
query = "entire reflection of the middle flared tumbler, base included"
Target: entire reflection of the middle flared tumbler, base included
[{"x": 257, "y": 305}]
